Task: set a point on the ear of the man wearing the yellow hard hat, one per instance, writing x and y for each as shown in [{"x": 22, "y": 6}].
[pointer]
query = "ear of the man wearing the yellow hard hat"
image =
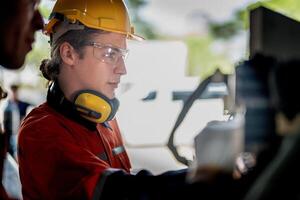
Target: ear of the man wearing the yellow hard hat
[{"x": 68, "y": 53}]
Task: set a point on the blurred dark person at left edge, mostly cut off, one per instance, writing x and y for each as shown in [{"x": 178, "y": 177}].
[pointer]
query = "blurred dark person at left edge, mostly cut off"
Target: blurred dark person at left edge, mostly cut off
[{"x": 19, "y": 19}]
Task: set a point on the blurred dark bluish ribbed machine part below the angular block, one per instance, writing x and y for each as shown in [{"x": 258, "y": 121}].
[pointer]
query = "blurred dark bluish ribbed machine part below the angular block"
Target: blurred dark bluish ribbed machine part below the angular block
[{"x": 252, "y": 91}]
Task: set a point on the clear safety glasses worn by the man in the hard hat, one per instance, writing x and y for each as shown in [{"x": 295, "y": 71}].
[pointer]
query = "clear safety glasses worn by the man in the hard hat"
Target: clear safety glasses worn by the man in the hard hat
[{"x": 108, "y": 54}]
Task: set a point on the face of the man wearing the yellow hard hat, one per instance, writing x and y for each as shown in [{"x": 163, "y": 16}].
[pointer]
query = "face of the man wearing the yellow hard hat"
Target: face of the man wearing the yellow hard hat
[{"x": 102, "y": 65}]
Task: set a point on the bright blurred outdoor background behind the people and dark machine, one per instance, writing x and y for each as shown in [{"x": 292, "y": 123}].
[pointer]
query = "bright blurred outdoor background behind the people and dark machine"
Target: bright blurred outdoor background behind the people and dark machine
[{"x": 186, "y": 41}]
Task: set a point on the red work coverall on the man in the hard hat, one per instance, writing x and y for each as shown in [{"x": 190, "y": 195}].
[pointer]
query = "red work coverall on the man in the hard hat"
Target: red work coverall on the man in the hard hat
[{"x": 60, "y": 158}]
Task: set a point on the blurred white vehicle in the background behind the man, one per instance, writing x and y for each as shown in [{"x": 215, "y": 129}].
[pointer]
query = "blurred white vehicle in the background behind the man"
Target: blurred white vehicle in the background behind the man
[{"x": 152, "y": 96}]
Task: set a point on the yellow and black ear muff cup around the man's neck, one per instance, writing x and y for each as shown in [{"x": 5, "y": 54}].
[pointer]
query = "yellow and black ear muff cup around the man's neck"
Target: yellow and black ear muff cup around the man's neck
[{"x": 94, "y": 106}]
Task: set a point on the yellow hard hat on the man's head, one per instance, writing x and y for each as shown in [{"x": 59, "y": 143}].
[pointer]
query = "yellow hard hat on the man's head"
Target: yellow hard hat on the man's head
[{"x": 107, "y": 15}]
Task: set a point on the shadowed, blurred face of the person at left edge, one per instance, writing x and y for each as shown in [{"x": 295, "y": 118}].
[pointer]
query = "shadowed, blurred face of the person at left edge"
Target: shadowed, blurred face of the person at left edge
[{"x": 19, "y": 35}]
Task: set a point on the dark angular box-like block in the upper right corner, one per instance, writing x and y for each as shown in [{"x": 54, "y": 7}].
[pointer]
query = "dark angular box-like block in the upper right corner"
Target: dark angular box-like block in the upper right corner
[{"x": 273, "y": 34}]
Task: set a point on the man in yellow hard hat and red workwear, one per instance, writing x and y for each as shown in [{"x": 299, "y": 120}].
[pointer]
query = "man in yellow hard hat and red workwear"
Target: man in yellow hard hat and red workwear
[{"x": 70, "y": 147}]
